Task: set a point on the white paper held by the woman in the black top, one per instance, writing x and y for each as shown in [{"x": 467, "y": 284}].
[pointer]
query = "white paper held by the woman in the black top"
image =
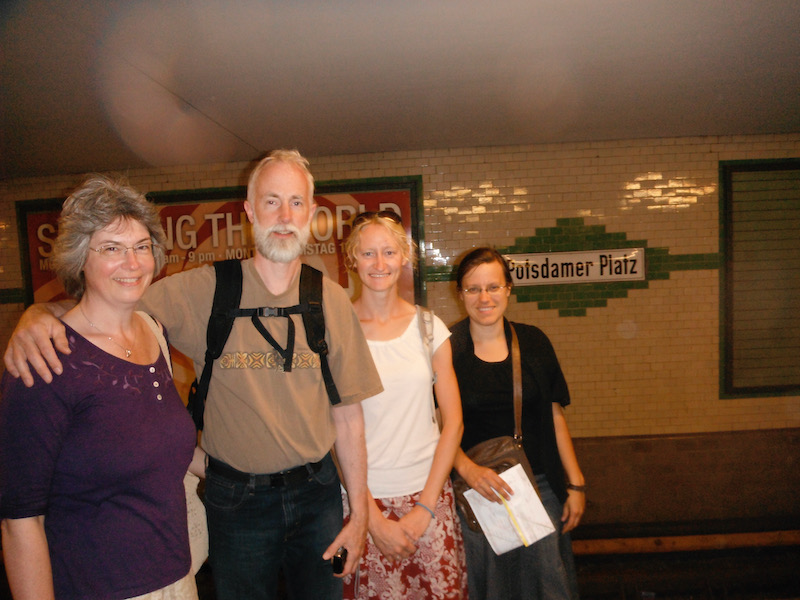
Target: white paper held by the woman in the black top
[{"x": 522, "y": 520}]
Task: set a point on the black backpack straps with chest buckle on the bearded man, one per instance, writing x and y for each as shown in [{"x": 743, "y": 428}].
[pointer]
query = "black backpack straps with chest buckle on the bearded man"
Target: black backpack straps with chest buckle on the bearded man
[{"x": 225, "y": 309}]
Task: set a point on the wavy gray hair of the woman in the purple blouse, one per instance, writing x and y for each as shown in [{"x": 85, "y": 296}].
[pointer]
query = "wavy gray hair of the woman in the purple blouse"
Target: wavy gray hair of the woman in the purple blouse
[{"x": 96, "y": 204}]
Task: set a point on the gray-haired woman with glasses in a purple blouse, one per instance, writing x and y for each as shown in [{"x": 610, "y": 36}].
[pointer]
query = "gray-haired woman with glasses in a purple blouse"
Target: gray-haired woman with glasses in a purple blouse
[{"x": 92, "y": 464}]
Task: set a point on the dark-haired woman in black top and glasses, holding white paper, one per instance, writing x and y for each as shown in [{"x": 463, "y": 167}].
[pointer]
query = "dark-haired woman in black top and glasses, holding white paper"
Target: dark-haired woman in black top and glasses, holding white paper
[{"x": 482, "y": 358}]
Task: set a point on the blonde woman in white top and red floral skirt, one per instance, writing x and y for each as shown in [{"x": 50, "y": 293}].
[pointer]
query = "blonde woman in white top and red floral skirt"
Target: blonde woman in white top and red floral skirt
[{"x": 414, "y": 549}]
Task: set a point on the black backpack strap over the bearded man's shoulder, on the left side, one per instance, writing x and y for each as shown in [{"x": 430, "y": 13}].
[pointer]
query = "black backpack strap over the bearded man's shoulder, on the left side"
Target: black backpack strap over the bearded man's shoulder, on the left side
[{"x": 227, "y": 295}]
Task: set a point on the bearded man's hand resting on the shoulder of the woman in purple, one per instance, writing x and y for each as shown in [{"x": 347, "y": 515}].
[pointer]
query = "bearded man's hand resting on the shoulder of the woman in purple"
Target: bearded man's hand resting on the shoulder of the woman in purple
[{"x": 35, "y": 340}]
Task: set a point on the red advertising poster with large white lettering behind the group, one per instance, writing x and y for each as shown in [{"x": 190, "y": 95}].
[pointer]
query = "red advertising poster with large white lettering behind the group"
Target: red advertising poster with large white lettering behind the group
[{"x": 203, "y": 226}]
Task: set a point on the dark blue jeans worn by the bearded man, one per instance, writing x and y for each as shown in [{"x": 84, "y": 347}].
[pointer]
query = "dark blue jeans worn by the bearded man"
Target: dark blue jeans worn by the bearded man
[{"x": 257, "y": 531}]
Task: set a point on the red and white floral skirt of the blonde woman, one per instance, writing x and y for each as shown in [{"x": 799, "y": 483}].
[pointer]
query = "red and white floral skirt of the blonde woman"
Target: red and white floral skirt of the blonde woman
[{"x": 437, "y": 570}]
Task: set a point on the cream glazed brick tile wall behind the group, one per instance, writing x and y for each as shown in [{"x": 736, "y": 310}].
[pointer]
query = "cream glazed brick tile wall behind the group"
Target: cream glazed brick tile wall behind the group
[{"x": 647, "y": 363}]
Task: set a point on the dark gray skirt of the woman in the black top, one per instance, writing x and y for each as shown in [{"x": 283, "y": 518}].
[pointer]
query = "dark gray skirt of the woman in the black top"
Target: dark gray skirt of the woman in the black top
[{"x": 543, "y": 571}]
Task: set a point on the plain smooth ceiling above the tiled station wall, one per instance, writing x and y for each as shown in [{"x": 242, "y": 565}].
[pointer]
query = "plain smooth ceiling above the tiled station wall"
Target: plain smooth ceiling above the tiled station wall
[{"x": 95, "y": 85}]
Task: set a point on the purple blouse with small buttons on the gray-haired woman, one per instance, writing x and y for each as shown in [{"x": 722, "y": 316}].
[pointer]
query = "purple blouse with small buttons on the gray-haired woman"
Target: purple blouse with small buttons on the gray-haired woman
[{"x": 101, "y": 452}]
